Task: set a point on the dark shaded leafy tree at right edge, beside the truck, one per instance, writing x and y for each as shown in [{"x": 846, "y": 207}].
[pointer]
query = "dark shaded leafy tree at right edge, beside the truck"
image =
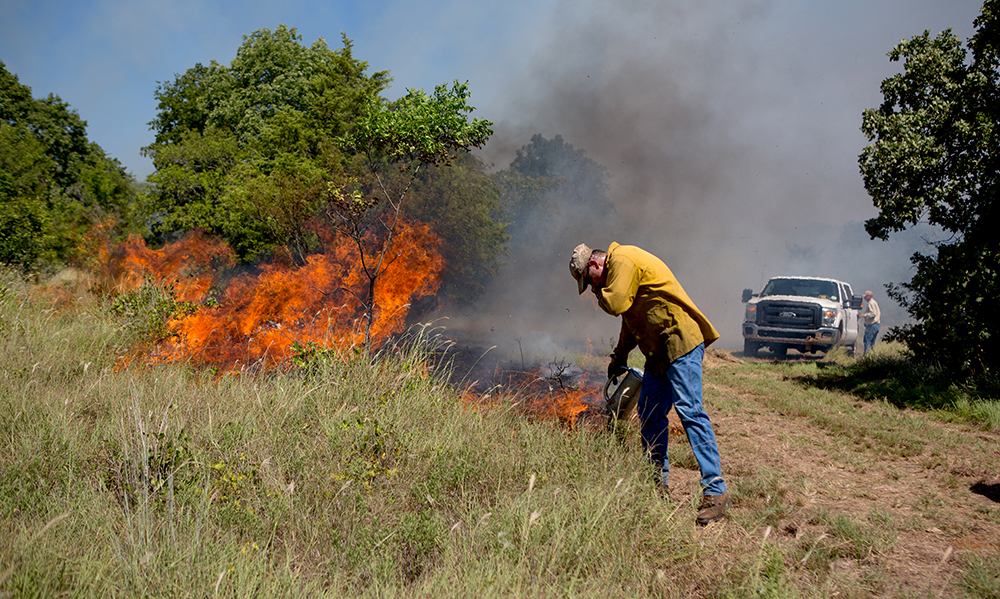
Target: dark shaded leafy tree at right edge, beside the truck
[{"x": 934, "y": 157}]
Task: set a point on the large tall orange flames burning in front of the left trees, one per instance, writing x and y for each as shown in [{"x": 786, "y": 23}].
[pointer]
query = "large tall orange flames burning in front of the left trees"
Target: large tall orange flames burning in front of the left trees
[{"x": 259, "y": 318}]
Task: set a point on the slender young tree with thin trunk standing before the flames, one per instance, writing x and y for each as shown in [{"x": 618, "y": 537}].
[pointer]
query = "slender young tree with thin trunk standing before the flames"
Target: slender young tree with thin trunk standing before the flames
[{"x": 392, "y": 142}]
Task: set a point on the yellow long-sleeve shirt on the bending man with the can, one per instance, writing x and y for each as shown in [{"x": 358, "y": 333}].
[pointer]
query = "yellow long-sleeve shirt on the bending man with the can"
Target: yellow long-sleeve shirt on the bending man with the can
[{"x": 657, "y": 314}]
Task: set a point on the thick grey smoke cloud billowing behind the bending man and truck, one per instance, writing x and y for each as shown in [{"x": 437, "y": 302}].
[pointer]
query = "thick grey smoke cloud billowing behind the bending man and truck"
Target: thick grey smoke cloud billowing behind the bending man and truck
[{"x": 731, "y": 140}]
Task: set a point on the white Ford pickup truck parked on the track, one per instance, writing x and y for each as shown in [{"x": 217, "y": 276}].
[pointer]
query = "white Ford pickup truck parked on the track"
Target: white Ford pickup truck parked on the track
[{"x": 808, "y": 314}]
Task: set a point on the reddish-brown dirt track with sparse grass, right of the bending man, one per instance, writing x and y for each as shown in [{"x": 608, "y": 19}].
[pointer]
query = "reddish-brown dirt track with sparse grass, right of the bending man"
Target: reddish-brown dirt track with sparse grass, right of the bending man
[{"x": 860, "y": 497}]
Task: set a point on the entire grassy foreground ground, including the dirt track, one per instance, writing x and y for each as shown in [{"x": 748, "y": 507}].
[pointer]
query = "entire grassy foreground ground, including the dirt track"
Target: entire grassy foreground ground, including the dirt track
[{"x": 358, "y": 478}]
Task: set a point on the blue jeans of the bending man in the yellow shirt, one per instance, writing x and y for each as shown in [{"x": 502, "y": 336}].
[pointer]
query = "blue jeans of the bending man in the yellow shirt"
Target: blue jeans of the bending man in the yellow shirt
[{"x": 680, "y": 388}]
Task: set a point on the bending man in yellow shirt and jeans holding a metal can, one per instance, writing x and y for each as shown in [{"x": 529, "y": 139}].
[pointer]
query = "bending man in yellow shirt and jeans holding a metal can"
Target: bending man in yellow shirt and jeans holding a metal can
[{"x": 659, "y": 317}]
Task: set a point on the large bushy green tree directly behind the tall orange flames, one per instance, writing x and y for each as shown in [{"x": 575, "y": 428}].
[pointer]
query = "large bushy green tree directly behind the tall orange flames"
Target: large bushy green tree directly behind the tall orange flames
[{"x": 240, "y": 150}]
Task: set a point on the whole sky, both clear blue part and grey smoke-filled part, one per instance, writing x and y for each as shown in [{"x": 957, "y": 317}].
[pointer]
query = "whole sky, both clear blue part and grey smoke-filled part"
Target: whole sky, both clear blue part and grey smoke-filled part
[{"x": 730, "y": 129}]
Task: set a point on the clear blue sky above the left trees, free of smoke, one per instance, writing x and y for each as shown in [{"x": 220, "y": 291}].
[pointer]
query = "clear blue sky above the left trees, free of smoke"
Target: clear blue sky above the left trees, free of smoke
[{"x": 105, "y": 57}]
